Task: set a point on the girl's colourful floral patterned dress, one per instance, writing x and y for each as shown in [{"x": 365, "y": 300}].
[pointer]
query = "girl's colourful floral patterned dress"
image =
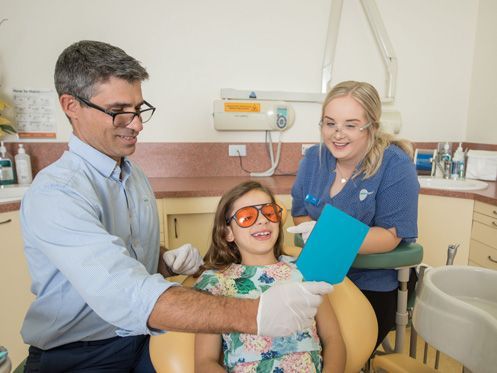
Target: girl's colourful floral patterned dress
[{"x": 300, "y": 352}]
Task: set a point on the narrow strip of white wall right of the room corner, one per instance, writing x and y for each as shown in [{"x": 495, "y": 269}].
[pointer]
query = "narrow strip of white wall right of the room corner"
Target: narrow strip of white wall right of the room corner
[{"x": 482, "y": 118}]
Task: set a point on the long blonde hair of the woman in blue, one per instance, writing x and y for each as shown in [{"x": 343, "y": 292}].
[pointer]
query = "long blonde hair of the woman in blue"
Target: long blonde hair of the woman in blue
[{"x": 378, "y": 140}]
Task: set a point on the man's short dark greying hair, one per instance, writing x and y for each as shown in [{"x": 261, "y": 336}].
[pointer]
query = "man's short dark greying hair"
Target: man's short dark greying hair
[{"x": 86, "y": 63}]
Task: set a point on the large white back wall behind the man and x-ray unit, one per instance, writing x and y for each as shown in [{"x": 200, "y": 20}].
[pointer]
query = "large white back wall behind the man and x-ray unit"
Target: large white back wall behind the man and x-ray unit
[{"x": 193, "y": 48}]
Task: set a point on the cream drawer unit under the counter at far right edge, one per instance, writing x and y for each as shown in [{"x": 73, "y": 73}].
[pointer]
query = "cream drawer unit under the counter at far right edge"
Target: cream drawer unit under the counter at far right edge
[{"x": 483, "y": 251}]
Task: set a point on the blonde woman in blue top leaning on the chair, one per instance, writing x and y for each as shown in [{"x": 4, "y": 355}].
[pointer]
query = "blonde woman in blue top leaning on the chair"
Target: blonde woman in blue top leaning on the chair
[{"x": 368, "y": 174}]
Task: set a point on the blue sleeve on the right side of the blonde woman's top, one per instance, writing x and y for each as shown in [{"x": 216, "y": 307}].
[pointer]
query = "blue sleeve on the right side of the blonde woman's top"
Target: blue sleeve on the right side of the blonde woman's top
[{"x": 397, "y": 199}]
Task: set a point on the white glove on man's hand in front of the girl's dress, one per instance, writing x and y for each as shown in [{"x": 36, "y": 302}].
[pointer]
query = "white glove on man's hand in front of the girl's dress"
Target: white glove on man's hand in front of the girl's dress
[{"x": 289, "y": 307}]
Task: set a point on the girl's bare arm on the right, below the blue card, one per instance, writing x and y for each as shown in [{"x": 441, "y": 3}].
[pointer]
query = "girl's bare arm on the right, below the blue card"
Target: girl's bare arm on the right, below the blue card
[{"x": 334, "y": 353}]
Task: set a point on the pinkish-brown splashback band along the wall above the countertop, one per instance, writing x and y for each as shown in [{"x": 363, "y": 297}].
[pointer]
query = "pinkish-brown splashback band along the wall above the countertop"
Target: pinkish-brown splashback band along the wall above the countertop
[{"x": 200, "y": 159}]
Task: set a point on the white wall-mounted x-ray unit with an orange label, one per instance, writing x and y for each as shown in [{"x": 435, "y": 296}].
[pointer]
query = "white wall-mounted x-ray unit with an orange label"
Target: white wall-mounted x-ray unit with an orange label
[{"x": 251, "y": 115}]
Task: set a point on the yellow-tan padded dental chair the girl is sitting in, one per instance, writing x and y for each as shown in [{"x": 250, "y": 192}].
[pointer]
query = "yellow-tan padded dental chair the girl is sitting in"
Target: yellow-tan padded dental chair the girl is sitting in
[{"x": 174, "y": 352}]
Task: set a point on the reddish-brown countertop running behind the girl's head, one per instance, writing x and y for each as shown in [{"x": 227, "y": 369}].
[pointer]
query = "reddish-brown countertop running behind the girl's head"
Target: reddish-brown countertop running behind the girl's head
[{"x": 173, "y": 187}]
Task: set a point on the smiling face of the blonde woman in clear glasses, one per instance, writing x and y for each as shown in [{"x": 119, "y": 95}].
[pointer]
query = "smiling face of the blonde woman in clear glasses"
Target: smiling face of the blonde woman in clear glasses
[{"x": 344, "y": 129}]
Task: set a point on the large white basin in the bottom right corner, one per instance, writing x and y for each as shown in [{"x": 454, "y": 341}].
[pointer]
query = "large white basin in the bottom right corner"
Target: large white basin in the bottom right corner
[{"x": 456, "y": 312}]
